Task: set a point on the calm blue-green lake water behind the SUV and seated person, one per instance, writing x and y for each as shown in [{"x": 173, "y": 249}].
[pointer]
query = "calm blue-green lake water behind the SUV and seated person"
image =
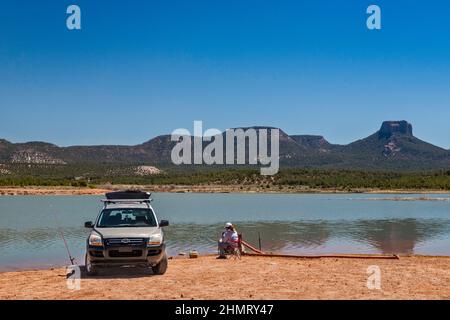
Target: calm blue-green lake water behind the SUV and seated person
[{"x": 288, "y": 223}]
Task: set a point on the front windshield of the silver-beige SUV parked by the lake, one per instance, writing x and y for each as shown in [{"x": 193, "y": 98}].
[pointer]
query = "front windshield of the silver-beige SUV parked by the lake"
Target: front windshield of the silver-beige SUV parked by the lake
[{"x": 129, "y": 217}]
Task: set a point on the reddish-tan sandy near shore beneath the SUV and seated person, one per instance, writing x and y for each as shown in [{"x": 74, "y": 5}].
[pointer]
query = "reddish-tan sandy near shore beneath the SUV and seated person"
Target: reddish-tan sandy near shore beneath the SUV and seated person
[{"x": 249, "y": 278}]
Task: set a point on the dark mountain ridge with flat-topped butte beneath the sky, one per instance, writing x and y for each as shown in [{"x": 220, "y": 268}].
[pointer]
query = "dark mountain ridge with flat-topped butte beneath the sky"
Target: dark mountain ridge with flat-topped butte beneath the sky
[{"x": 392, "y": 147}]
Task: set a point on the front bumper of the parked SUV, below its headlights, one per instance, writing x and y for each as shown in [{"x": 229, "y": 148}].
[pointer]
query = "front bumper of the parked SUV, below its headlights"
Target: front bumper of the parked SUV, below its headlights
[{"x": 126, "y": 255}]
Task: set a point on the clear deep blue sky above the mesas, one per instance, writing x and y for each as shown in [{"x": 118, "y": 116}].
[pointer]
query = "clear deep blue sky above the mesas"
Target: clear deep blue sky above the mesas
[{"x": 138, "y": 69}]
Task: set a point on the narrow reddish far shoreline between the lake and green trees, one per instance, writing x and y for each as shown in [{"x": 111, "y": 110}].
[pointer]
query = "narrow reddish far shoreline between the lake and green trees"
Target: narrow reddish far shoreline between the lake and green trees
[{"x": 100, "y": 190}]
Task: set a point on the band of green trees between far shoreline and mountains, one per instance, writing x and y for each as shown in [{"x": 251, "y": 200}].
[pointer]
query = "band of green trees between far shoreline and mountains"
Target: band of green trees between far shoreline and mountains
[{"x": 84, "y": 176}]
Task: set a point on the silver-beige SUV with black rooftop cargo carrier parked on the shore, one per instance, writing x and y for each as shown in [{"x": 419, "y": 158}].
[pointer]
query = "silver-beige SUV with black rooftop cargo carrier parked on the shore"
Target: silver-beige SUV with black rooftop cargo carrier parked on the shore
[{"x": 126, "y": 232}]
